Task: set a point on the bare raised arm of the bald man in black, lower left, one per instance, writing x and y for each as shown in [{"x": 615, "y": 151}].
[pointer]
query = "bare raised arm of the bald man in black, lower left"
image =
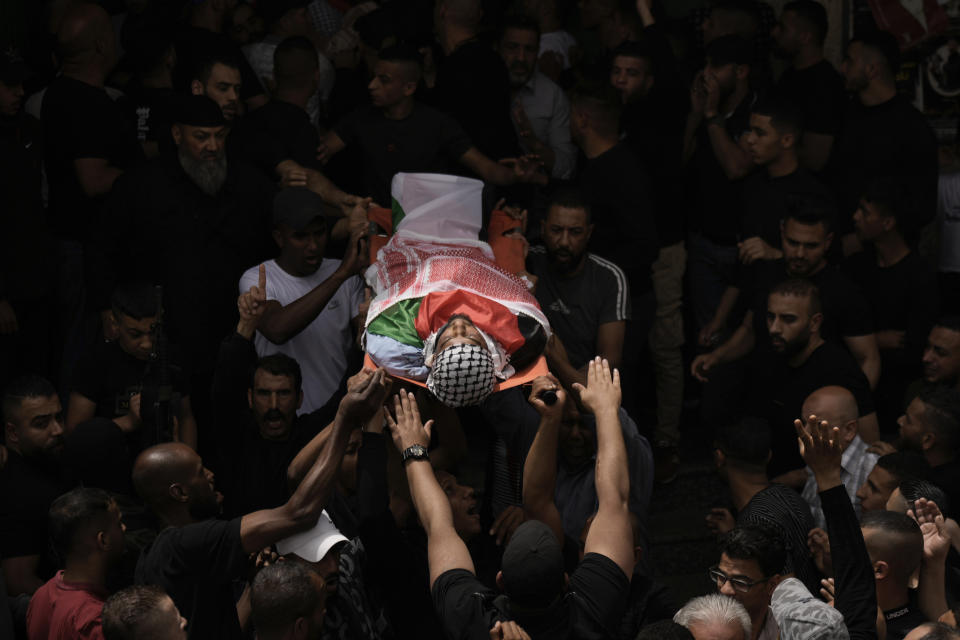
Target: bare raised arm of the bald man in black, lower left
[{"x": 263, "y": 528}]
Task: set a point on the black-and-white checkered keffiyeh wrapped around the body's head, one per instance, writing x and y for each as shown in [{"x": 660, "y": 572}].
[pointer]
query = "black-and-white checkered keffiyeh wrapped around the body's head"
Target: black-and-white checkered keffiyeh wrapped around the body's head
[{"x": 462, "y": 375}]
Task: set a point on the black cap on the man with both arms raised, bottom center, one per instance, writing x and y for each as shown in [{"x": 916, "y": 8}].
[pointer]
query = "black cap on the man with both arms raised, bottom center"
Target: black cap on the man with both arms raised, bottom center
[{"x": 532, "y": 566}]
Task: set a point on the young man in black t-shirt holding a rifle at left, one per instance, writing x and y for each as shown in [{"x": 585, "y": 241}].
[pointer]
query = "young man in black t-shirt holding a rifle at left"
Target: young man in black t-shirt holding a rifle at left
[{"x": 121, "y": 379}]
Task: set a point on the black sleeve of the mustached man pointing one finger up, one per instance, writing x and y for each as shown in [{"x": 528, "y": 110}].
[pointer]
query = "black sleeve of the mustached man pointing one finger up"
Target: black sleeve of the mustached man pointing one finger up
[{"x": 230, "y": 383}]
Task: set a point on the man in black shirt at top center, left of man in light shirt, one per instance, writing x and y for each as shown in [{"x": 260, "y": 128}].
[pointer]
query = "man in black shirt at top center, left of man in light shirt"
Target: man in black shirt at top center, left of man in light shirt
[{"x": 471, "y": 82}]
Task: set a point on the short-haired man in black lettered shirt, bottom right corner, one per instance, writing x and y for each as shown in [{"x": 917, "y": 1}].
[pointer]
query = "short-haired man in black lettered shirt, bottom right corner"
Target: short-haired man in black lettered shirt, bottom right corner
[{"x": 895, "y": 545}]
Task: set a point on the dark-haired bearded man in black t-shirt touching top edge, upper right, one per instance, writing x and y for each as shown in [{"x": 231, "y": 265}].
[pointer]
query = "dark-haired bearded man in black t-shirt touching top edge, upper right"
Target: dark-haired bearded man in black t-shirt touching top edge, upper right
[{"x": 810, "y": 82}]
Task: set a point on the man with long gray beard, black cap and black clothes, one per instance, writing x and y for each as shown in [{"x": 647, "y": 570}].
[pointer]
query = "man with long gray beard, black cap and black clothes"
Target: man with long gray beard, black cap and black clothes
[{"x": 191, "y": 223}]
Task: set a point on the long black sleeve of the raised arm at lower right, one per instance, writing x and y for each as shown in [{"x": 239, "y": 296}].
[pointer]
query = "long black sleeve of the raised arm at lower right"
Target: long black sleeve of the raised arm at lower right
[{"x": 856, "y": 591}]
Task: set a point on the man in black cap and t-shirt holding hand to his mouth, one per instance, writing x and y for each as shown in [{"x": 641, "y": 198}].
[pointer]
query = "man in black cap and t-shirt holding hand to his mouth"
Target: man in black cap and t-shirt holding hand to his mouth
[{"x": 715, "y": 149}]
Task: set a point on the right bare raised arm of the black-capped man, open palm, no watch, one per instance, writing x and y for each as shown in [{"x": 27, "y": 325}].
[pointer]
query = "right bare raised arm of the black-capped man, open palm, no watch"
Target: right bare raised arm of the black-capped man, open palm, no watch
[{"x": 610, "y": 534}]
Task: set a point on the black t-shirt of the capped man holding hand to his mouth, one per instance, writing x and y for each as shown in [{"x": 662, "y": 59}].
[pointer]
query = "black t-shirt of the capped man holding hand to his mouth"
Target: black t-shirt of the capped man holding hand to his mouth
[{"x": 716, "y": 205}]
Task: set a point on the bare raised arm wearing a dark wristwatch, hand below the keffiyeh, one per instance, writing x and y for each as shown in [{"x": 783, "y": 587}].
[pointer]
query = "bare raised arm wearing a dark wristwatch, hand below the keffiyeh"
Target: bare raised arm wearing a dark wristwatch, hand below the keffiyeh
[{"x": 445, "y": 549}]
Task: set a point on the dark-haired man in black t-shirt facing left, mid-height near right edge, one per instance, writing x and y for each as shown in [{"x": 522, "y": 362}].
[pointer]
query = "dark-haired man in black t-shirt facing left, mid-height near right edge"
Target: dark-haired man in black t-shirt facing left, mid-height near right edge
[{"x": 900, "y": 289}]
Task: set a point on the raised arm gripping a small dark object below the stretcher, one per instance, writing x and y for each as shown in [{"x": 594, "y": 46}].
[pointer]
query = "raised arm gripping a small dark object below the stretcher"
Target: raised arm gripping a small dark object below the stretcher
[{"x": 540, "y": 467}]
